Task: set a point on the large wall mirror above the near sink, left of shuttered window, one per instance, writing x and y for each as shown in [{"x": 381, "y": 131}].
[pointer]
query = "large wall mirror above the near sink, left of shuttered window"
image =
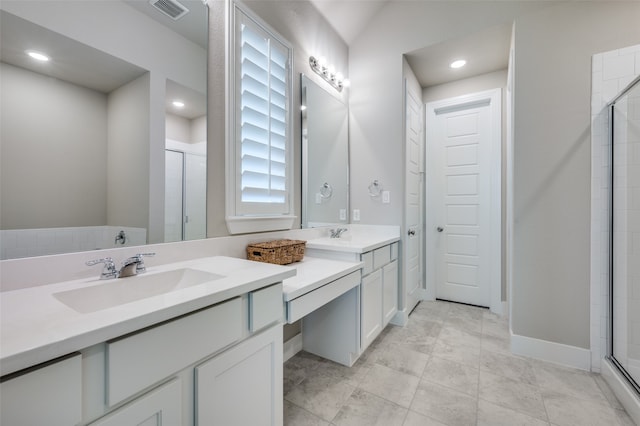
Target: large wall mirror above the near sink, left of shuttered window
[{"x": 104, "y": 144}]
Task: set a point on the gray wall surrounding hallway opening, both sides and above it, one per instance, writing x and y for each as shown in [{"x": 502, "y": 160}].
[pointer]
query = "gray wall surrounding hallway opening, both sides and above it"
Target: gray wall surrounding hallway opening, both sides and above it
[{"x": 553, "y": 45}]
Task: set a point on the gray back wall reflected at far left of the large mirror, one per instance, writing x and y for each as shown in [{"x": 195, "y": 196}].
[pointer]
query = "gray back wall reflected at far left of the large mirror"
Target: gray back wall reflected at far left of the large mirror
[{"x": 51, "y": 128}]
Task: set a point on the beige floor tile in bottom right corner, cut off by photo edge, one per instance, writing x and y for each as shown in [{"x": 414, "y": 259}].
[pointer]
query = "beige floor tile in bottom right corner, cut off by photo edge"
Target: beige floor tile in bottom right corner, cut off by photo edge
[{"x": 565, "y": 410}]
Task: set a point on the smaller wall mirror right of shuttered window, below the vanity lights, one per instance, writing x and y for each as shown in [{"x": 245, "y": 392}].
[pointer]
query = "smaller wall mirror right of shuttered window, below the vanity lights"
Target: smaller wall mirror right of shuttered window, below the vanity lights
[{"x": 325, "y": 157}]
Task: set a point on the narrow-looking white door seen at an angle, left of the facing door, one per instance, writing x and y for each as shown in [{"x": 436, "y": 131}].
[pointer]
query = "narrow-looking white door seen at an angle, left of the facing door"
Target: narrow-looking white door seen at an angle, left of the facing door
[{"x": 413, "y": 211}]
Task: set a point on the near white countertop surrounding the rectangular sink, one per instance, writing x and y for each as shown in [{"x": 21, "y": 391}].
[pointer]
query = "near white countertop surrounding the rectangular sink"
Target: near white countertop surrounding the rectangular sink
[{"x": 36, "y": 327}]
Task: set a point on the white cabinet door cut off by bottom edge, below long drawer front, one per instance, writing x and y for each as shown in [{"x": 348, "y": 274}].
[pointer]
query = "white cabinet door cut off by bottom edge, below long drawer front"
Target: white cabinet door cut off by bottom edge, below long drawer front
[{"x": 161, "y": 406}]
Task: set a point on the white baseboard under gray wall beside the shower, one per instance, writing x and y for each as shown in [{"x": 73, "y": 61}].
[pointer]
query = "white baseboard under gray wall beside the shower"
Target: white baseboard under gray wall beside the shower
[{"x": 558, "y": 353}]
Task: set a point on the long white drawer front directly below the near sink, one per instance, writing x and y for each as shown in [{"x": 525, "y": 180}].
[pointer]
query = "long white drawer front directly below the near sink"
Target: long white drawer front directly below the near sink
[{"x": 137, "y": 361}]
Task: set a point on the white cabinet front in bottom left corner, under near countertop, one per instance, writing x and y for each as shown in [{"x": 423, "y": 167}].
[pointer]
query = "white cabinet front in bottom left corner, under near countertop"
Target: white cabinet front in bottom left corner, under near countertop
[{"x": 46, "y": 395}]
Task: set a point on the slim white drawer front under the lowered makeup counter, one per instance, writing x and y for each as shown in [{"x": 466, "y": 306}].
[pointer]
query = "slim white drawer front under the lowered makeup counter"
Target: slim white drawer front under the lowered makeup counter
[{"x": 303, "y": 305}]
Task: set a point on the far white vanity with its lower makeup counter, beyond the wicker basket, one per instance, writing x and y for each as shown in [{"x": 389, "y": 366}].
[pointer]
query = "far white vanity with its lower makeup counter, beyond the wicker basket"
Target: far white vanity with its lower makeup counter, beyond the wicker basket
[{"x": 352, "y": 296}]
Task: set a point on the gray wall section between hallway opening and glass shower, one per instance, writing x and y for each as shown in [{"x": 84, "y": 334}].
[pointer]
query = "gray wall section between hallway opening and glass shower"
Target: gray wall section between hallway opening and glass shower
[{"x": 552, "y": 179}]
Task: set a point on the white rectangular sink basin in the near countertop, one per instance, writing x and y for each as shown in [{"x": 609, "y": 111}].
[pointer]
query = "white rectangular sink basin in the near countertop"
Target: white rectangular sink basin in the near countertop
[{"x": 124, "y": 290}]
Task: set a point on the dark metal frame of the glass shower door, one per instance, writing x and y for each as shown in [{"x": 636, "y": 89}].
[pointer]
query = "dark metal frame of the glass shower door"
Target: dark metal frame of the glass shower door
[{"x": 610, "y": 326}]
